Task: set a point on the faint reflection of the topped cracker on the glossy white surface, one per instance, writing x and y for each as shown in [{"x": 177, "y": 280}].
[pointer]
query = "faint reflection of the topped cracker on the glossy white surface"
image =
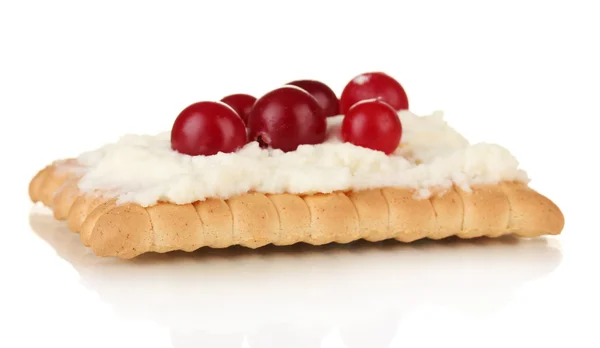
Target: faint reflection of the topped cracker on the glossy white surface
[{"x": 295, "y": 296}]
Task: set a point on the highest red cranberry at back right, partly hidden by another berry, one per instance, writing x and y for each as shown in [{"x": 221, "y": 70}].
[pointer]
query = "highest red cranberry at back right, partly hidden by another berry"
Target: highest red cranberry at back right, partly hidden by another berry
[{"x": 374, "y": 85}]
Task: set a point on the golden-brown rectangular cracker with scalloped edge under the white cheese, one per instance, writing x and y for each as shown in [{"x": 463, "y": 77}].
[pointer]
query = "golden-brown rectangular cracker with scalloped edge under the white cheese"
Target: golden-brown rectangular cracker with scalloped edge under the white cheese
[{"x": 253, "y": 220}]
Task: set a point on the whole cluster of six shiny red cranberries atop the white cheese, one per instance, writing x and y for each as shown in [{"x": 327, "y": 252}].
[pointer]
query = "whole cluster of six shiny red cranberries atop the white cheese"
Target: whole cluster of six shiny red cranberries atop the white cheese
[{"x": 293, "y": 115}]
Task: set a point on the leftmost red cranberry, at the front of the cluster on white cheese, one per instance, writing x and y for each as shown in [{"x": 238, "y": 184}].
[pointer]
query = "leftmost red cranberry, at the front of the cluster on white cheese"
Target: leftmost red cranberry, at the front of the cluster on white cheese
[{"x": 206, "y": 128}]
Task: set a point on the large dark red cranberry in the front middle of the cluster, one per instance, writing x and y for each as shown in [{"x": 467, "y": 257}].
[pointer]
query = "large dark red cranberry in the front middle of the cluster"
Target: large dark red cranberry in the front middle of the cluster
[{"x": 286, "y": 118}]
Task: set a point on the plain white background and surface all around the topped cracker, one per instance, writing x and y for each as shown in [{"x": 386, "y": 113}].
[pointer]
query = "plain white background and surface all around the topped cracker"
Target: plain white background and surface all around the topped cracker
[{"x": 524, "y": 74}]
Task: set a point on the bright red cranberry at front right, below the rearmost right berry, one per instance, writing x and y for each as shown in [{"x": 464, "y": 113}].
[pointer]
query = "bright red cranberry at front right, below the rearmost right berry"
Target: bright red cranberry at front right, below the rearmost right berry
[{"x": 372, "y": 124}]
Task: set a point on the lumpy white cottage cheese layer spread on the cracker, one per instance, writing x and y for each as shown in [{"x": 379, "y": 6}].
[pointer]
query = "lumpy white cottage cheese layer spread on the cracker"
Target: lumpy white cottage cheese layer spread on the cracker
[{"x": 144, "y": 169}]
